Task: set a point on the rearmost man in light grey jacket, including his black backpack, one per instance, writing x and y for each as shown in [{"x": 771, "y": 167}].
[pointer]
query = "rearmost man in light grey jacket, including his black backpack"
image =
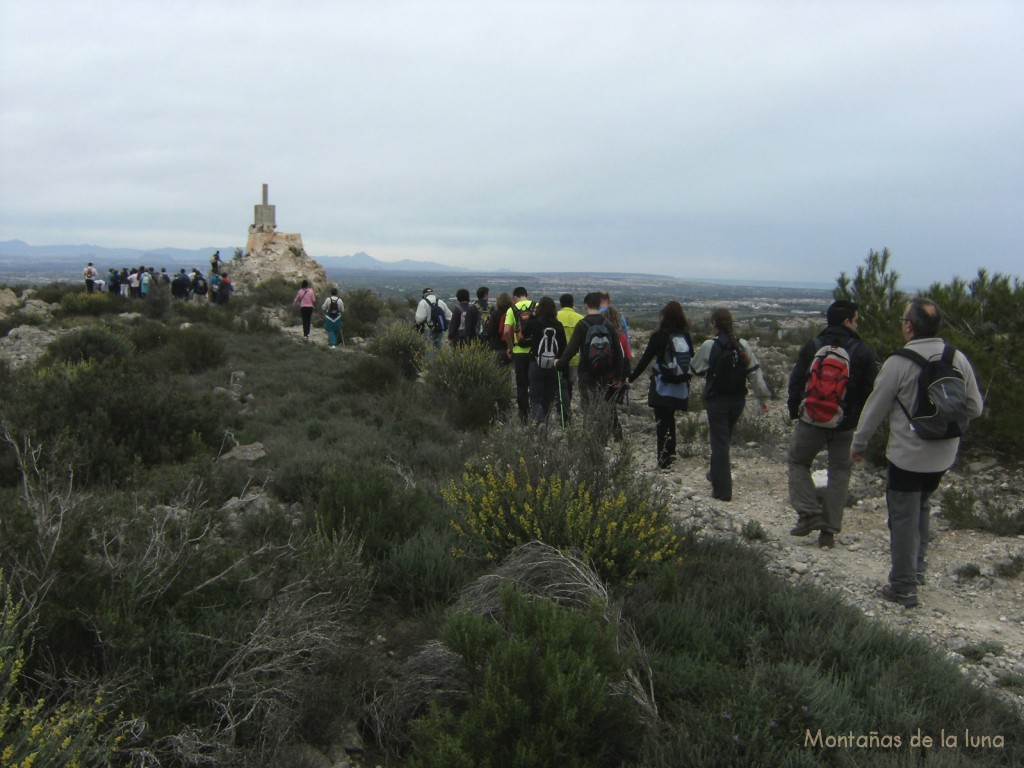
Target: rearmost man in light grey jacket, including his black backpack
[{"x": 923, "y": 442}]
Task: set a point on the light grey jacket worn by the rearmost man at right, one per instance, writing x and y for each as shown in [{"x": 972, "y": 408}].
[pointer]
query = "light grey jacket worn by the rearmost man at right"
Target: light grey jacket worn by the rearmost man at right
[{"x": 899, "y": 378}]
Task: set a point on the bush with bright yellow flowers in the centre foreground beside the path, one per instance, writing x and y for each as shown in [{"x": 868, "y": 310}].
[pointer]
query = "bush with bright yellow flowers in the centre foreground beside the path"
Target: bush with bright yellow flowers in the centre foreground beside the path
[{"x": 504, "y": 506}]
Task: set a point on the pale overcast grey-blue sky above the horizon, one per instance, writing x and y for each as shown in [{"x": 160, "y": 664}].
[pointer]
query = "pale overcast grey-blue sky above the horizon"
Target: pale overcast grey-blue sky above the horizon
[{"x": 724, "y": 141}]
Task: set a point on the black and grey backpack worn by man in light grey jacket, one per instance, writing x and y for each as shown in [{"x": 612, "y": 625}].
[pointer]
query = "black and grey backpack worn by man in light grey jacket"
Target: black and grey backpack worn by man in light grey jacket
[{"x": 942, "y": 412}]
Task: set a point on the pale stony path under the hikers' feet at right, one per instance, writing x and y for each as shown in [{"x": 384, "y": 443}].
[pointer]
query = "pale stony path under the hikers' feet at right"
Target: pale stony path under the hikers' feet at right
[{"x": 978, "y": 620}]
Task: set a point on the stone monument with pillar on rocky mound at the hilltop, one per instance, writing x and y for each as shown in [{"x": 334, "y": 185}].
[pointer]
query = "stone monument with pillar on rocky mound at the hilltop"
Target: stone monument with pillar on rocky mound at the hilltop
[{"x": 273, "y": 254}]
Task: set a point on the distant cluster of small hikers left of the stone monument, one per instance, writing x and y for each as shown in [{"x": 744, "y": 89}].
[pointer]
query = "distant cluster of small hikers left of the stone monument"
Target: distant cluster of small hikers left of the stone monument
[{"x": 138, "y": 283}]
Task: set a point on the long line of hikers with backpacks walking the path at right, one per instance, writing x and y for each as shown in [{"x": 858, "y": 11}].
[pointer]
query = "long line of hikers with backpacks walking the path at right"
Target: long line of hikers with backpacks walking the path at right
[{"x": 838, "y": 397}]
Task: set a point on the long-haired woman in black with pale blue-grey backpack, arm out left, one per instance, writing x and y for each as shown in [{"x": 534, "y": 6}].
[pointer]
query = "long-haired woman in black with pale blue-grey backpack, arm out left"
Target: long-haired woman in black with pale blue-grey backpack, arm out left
[{"x": 671, "y": 350}]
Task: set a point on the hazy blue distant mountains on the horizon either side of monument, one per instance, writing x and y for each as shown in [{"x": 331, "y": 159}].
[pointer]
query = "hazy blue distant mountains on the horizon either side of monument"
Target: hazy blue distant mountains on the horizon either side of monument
[{"x": 15, "y": 252}]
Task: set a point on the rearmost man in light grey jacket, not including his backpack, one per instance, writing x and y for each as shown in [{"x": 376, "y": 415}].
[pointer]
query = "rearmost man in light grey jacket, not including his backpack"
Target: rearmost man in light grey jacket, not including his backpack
[{"x": 916, "y": 465}]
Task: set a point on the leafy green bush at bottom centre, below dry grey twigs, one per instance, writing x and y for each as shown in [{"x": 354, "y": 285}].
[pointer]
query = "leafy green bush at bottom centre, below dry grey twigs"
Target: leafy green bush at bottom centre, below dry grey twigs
[{"x": 542, "y": 693}]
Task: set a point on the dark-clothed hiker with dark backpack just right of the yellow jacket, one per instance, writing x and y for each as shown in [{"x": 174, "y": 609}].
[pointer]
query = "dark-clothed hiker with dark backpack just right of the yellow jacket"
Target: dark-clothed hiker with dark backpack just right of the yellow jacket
[{"x": 601, "y": 361}]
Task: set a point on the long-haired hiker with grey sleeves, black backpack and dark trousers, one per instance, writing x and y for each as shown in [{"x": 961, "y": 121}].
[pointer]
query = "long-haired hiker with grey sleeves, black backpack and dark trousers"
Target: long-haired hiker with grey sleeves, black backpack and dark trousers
[{"x": 729, "y": 366}]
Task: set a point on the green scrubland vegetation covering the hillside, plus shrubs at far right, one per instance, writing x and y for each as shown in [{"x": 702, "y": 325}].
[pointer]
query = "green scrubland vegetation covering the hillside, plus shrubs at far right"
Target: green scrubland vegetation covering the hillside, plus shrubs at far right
[{"x": 467, "y": 591}]
